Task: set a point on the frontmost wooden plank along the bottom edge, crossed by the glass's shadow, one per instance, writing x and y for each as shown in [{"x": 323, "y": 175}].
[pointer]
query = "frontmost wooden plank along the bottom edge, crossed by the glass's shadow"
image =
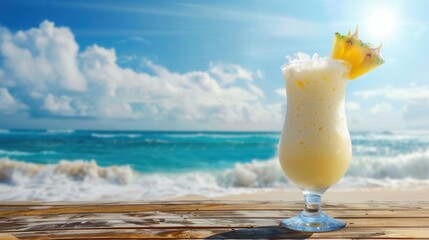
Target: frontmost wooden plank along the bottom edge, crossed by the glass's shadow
[{"x": 267, "y": 232}]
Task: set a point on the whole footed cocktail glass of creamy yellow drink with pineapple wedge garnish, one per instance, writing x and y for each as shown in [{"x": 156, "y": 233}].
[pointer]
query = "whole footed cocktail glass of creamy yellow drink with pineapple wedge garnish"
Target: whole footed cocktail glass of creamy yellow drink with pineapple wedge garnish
[{"x": 315, "y": 148}]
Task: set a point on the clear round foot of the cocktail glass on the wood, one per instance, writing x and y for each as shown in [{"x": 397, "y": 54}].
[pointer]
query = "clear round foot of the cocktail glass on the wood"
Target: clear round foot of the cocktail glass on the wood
[{"x": 312, "y": 222}]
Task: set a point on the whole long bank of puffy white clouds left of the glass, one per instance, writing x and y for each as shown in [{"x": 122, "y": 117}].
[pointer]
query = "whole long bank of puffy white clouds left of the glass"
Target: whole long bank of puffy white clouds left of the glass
[{"x": 60, "y": 81}]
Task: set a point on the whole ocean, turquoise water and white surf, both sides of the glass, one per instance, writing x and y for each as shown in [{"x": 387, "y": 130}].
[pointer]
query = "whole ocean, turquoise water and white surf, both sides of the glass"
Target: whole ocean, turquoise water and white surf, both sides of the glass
[{"x": 143, "y": 165}]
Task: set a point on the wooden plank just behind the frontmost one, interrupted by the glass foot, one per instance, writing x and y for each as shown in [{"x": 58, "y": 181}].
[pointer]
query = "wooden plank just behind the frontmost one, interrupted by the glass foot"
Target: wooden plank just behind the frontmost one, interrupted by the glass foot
[{"x": 135, "y": 223}]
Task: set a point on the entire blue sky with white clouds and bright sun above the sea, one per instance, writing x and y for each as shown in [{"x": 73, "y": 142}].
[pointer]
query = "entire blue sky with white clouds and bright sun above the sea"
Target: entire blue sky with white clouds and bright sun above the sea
[{"x": 200, "y": 65}]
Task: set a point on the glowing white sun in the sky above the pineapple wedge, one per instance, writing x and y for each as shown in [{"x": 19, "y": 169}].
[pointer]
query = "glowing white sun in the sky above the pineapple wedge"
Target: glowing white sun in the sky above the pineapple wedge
[{"x": 381, "y": 23}]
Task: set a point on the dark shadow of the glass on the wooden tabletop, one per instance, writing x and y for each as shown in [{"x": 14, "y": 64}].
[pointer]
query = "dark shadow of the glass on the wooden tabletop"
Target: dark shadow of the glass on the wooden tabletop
[{"x": 267, "y": 232}]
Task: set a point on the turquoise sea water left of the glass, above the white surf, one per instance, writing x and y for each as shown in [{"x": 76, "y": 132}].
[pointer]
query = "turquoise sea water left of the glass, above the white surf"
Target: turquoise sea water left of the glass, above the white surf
[{"x": 145, "y": 151}]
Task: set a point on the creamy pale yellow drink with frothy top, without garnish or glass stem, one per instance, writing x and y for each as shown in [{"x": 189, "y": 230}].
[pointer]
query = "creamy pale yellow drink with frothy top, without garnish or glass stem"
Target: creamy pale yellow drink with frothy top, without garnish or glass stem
[{"x": 315, "y": 148}]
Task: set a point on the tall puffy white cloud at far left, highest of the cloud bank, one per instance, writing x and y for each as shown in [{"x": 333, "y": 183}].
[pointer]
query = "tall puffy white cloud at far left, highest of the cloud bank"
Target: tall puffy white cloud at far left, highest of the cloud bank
[{"x": 41, "y": 57}]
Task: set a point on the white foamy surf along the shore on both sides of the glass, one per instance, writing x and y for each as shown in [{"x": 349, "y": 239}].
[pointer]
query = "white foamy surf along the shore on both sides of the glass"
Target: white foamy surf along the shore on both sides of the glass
[{"x": 86, "y": 180}]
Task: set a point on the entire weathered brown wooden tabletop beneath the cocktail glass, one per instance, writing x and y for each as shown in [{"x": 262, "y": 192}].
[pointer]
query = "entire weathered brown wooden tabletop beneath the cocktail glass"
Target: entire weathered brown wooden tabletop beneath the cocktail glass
[{"x": 205, "y": 219}]
